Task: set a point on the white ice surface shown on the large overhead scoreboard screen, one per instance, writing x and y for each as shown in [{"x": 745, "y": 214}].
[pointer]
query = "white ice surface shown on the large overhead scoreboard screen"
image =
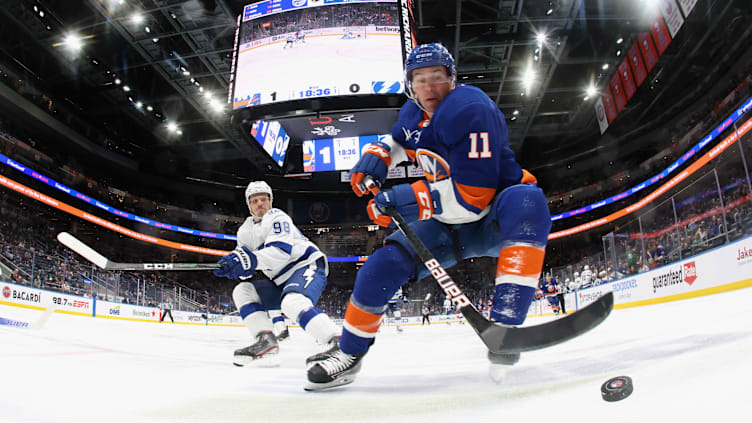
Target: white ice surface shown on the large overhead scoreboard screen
[{"x": 329, "y": 61}]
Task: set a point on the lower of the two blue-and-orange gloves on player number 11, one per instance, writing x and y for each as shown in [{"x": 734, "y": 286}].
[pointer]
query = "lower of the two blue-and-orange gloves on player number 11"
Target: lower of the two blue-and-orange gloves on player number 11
[{"x": 413, "y": 202}]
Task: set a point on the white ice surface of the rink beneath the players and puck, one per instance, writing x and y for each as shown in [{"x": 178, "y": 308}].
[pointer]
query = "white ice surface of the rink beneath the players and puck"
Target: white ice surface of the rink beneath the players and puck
[{"x": 690, "y": 361}]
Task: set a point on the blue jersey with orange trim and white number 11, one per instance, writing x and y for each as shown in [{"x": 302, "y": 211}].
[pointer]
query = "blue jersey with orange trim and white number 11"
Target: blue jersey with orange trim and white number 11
[{"x": 463, "y": 151}]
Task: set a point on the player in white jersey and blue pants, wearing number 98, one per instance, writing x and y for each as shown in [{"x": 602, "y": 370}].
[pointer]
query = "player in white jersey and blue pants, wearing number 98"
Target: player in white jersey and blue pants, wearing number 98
[{"x": 295, "y": 271}]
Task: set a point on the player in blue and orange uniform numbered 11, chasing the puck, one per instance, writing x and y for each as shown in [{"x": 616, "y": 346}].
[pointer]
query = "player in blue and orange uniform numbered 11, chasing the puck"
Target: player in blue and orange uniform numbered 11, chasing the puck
[{"x": 475, "y": 201}]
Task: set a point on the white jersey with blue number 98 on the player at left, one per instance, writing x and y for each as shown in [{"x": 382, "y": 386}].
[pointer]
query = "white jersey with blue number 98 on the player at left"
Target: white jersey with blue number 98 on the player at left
[{"x": 278, "y": 244}]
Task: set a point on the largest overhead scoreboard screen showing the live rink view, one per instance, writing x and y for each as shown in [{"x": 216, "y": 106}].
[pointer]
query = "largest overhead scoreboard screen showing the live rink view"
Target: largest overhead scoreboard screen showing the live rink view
[{"x": 300, "y": 49}]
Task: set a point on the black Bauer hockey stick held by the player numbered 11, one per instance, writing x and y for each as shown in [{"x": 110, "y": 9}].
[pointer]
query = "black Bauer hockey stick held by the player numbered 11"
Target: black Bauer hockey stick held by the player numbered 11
[{"x": 502, "y": 339}]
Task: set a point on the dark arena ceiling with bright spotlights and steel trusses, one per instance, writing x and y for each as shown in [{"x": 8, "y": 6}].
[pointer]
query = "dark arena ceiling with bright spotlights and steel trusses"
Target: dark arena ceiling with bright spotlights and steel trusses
[{"x": 178, "y": 51}]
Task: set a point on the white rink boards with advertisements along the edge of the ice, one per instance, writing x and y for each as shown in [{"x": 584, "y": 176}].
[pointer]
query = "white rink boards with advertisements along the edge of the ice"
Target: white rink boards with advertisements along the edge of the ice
[{"x": 723, "y": 269}]
